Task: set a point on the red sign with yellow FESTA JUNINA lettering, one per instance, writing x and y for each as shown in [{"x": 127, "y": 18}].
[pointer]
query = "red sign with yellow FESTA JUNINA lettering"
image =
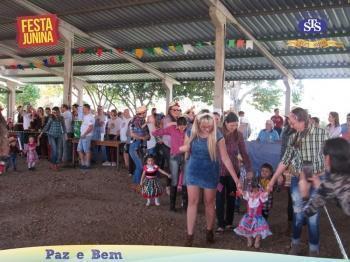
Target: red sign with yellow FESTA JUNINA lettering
[{"x": 37, "y": 30}]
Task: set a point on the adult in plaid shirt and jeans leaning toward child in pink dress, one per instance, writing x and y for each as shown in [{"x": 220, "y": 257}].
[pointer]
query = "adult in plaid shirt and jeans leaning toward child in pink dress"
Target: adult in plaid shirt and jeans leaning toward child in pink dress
[{"x": 306, "y": 145}]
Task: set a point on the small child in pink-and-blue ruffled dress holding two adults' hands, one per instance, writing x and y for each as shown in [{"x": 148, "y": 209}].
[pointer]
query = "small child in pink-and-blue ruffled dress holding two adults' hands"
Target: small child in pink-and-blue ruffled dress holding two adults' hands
[{"x": 253, "y": 225}]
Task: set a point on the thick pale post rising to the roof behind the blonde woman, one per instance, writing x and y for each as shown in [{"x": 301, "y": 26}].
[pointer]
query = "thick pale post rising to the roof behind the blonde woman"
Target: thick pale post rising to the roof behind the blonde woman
[{"x": 219, "y": 21}]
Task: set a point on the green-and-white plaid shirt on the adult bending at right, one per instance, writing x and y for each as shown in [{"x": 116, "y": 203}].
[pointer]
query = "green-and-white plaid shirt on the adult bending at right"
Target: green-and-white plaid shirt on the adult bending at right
[{"x": 306, "y": 148}]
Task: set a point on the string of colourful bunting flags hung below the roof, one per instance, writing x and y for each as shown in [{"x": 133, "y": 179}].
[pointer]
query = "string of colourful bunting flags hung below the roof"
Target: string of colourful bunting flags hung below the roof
[{"x": 137, "y": 52}]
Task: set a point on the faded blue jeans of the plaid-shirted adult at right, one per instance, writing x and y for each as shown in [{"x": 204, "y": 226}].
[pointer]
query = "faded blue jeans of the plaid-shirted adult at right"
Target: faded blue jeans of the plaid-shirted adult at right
[{"x": 299, "y": 217}]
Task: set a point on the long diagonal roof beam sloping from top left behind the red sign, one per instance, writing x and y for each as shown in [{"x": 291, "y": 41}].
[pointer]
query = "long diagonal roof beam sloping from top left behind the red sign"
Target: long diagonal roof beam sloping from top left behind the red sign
[{"x": 75, "y": 30}]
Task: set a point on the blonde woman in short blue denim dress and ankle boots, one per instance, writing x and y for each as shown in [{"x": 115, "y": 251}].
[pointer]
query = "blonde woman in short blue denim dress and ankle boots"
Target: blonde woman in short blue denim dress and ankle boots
[{"x": 202, "y": 146}]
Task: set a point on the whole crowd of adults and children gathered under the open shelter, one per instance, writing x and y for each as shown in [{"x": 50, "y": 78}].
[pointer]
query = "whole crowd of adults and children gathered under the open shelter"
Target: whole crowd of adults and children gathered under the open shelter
[{"x": 200, "y": 151}]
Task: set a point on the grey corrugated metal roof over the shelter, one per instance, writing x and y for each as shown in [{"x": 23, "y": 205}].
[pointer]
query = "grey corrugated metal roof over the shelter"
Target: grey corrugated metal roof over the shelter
[{"x": 150, "y": 23}]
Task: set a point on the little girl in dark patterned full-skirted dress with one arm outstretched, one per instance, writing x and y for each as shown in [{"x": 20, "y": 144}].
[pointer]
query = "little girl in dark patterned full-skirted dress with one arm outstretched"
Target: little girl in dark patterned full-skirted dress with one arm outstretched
[{"x": 150, "y": 186}]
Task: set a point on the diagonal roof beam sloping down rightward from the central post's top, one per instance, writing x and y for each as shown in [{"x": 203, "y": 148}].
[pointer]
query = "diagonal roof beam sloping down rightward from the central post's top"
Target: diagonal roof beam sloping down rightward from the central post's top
[{"x": 278, "y": 65}]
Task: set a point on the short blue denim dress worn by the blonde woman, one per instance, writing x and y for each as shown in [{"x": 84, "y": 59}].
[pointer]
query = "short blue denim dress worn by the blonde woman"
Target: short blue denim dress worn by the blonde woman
[{"x": 200, "y": 170}]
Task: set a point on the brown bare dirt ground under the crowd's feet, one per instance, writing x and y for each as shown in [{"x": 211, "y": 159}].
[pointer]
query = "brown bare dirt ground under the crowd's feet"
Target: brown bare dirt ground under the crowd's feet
[{"x": 43, "y": 207}]
